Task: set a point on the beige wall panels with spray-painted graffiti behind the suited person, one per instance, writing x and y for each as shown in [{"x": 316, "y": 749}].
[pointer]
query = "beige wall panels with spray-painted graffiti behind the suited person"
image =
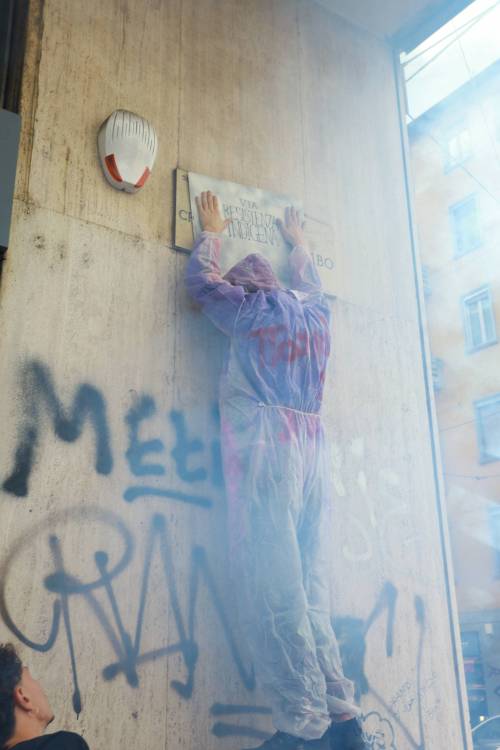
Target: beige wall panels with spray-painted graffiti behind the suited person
[{"x": 120, "y": 595}]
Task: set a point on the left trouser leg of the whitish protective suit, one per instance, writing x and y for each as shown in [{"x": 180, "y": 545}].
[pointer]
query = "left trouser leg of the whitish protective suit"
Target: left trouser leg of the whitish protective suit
[{"x": 273, "y": 606}]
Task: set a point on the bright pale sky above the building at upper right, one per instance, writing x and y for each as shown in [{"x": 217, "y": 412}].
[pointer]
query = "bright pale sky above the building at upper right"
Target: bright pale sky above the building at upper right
[{"x": 472, "y": 43}]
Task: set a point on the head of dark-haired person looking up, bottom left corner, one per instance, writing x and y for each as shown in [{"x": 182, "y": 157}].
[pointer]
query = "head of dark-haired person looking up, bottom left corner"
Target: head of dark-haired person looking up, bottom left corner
[{"x": 25, "y": 711}]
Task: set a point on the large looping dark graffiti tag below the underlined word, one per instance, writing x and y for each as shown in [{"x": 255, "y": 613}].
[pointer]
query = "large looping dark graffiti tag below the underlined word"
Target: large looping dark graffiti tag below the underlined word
[{"x": 126, "y": 646}]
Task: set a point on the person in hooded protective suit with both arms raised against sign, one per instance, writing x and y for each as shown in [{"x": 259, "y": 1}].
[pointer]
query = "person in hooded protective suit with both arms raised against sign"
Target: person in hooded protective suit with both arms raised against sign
[{"x": 278, "y": 480}]
